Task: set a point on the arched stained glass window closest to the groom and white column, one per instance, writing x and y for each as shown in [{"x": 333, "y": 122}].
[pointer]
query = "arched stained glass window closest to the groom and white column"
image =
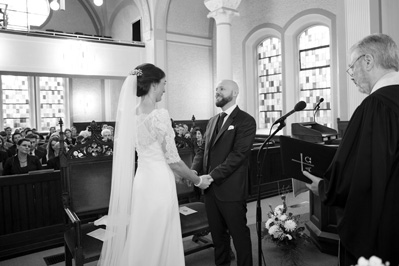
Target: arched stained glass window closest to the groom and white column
[{"x": 269, "y": 82}]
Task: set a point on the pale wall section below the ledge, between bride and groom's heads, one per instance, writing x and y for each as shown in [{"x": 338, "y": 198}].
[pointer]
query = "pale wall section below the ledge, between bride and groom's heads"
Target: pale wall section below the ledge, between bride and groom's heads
[{"x": 189, "y": 88}]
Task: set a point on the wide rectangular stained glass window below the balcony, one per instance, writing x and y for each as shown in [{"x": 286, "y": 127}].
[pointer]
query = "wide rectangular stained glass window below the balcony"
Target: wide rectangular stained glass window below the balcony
[{"x": 30, "y": 99}]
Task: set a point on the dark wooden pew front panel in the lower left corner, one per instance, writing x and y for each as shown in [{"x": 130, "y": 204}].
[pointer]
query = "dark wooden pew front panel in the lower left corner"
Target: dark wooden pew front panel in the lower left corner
[{"x": 31, "y": 215}]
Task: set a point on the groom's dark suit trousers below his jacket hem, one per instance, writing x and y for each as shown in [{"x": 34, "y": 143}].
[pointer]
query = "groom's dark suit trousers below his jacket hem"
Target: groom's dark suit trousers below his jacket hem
[{"x": 229, "y": 218}]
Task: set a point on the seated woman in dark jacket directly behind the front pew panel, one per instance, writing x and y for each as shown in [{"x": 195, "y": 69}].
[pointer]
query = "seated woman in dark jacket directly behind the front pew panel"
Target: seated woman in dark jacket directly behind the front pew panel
[{"x": 22, "y": 162}]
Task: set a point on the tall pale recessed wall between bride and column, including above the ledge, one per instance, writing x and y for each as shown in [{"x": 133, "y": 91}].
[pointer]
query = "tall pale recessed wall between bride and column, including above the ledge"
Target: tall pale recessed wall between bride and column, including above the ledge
[{"x": 189, "y": 58}]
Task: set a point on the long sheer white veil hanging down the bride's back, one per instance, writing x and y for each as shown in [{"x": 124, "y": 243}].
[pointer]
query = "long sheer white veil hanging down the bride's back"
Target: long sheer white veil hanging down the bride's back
[{"x": 123, "y": 170}]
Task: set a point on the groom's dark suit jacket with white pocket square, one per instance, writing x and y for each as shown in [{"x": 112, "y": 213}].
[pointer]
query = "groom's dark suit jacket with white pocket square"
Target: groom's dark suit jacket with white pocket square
[{"x": 226, "y": 156}]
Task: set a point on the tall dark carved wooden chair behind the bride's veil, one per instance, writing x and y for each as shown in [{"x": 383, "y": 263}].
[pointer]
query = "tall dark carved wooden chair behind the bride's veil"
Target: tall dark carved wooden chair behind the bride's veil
[{"x": 86, "y": 171}]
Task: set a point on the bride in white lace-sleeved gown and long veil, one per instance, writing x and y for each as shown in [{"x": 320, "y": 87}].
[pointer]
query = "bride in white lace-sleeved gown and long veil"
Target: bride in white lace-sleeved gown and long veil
[{"x": 143, "y": 224}]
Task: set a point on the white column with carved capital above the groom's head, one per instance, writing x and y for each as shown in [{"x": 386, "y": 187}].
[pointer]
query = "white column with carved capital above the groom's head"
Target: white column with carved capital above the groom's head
[{"x": 223, "y": 11}]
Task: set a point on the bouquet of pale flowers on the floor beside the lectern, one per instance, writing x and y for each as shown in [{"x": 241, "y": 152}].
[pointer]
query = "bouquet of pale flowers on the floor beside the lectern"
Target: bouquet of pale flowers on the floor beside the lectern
[{"x": 284, "y": 230}]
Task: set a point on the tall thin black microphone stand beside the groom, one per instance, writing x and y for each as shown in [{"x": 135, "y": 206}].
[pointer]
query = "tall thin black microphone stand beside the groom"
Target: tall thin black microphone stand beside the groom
[{"x": 258, "y": 205}]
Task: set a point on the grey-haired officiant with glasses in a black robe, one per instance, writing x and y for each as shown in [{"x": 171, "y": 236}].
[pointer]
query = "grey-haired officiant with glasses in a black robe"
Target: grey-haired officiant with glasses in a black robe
[{"x": 363, "y": 180}]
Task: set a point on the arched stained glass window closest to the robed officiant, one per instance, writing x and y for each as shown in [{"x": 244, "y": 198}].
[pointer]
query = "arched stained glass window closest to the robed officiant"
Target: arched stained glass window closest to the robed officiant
[{"x": 315, "y": 74}]
